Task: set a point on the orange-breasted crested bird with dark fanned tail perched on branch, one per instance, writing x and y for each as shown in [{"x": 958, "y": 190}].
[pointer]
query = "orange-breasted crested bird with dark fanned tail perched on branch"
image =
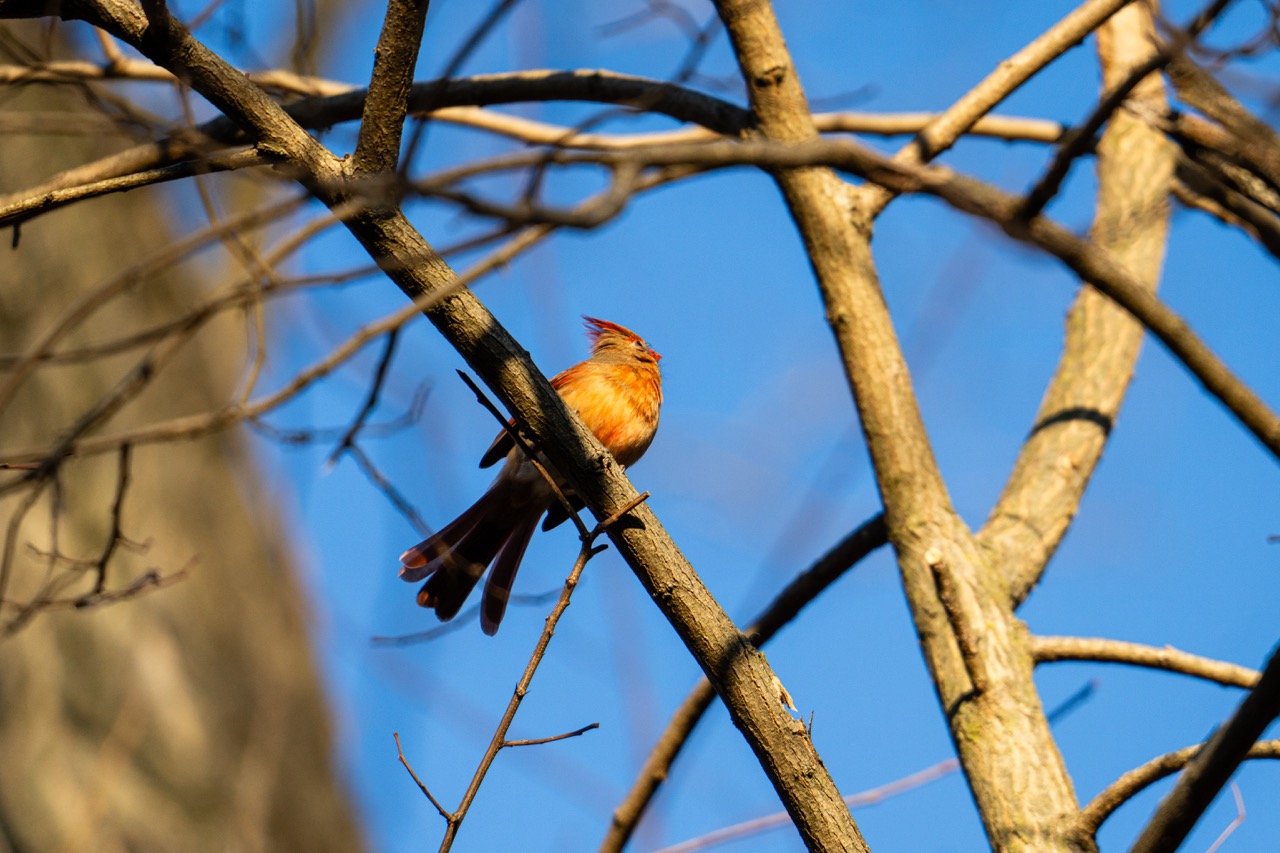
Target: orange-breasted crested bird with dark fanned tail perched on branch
[{"x": 618, "y": 394}]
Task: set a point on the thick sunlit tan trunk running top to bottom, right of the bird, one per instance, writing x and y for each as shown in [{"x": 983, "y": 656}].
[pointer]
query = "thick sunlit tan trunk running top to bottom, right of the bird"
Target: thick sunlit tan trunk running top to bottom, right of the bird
[{"x": 976, "y": 650}]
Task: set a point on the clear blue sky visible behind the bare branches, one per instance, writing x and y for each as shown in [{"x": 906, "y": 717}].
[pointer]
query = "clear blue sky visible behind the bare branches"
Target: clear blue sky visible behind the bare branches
[{"x": 758, "y": 467}]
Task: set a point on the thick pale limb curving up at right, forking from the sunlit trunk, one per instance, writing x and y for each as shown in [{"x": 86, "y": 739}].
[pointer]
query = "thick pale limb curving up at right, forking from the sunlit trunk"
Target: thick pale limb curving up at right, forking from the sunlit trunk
[{"x": 1103, "y": 343}]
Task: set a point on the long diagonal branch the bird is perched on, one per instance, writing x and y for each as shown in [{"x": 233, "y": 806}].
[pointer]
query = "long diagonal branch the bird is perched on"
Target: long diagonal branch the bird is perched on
[{"x": 740, "y": 674}]
